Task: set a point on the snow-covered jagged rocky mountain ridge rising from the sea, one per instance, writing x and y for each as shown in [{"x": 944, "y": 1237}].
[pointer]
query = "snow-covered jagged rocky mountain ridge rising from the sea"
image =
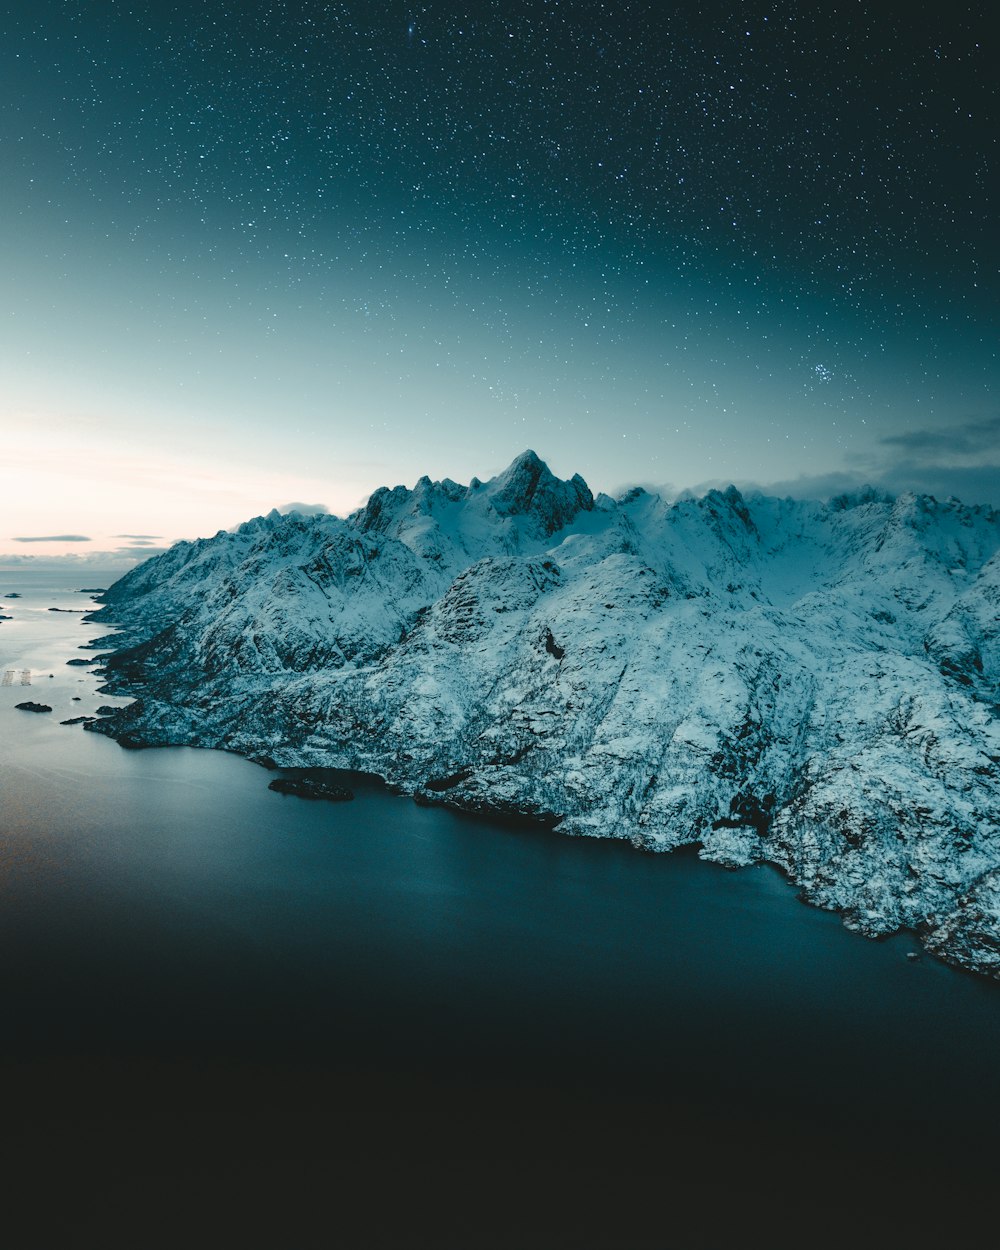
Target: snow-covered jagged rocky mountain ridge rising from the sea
[{"x": 809, "y": 684}]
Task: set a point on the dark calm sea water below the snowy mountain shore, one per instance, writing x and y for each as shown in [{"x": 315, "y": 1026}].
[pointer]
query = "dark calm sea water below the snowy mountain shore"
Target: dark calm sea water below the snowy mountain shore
[{"x": 379, "y": 1024}]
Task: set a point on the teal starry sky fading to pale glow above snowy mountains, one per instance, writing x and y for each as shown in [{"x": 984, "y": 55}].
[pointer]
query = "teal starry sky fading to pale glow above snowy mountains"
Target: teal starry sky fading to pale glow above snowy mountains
[{"x": 271, "y": 253}]
